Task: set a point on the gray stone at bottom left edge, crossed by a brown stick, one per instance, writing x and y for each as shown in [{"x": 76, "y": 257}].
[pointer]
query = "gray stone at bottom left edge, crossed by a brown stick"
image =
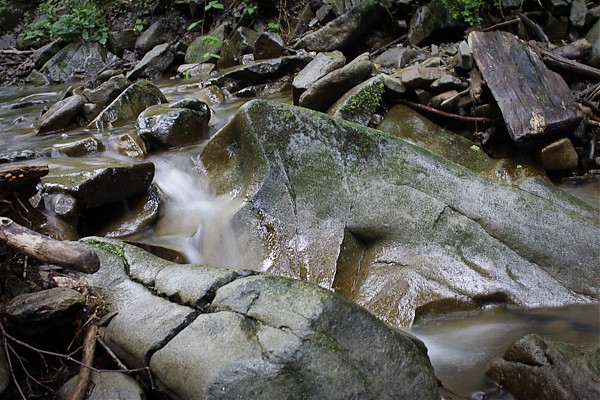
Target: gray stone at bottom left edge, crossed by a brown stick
[{"x": 106, "y": 385}]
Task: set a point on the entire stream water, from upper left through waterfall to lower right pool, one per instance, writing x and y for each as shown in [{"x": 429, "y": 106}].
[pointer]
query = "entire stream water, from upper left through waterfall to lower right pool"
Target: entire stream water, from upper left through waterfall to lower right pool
[{"x": 195, "y": 222}]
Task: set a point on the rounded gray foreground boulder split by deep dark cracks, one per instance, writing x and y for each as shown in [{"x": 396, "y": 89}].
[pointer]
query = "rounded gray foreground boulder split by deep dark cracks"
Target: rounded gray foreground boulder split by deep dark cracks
[{"x": 217, "y": 333}]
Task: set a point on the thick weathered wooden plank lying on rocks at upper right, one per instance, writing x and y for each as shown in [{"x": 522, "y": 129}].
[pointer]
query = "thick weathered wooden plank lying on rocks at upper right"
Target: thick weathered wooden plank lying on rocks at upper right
[{"x": 536, "y": 103}]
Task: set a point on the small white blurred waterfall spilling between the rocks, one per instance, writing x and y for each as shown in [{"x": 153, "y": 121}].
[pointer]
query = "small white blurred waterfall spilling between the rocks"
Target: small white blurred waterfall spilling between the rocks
[{"x": 192, "y": 219}]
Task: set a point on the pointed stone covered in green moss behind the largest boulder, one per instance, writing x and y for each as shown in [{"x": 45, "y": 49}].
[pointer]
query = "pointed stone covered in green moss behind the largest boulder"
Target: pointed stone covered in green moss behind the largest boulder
[{"x": 360, "y": 103}]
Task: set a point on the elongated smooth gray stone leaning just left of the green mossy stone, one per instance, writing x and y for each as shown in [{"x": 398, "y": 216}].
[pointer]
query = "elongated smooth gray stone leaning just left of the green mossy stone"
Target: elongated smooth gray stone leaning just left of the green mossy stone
[{"x": 324, "y": 92}]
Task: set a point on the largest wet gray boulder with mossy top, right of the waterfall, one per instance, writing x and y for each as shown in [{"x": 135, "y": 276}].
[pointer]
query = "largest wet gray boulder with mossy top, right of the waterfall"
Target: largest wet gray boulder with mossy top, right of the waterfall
[{"x": 394, "y": 227}]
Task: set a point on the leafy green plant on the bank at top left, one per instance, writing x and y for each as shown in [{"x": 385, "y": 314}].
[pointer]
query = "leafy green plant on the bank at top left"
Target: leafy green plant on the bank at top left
[{"x": 67, "y": 20}]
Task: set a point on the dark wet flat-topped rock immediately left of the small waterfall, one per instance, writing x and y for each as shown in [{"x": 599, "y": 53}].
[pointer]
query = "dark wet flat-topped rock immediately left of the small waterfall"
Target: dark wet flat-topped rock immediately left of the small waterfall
[{"x": 98, "y": 182}]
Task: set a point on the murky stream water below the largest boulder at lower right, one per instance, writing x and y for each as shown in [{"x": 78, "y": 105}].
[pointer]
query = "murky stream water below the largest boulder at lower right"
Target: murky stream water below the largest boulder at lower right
[{"x": 461, "y": 347}]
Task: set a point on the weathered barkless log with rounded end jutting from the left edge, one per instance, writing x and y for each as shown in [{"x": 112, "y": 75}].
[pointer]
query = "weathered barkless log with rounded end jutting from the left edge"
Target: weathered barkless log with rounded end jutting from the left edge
[{"x": 46, "y": 249}]
